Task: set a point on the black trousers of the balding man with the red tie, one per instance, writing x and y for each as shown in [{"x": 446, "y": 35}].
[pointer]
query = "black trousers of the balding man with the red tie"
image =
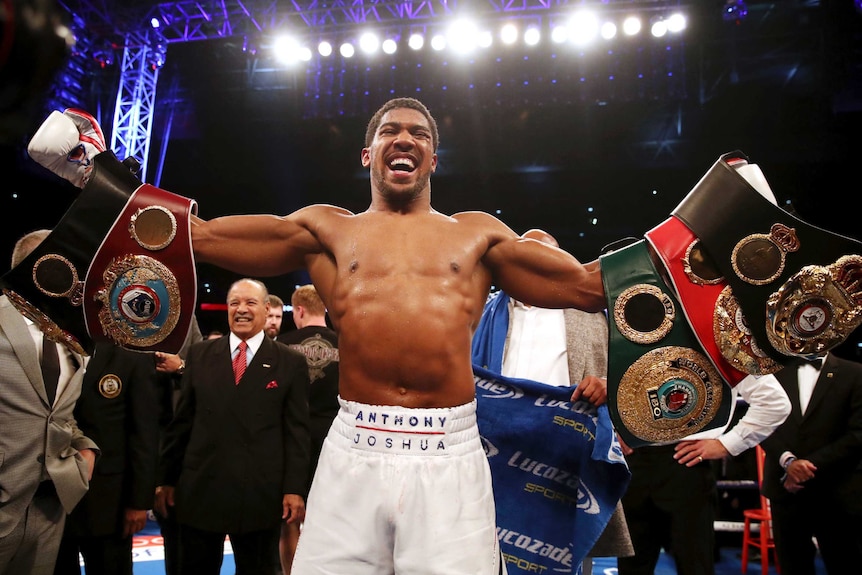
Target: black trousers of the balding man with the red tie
[{"x": 201, "y": 552}]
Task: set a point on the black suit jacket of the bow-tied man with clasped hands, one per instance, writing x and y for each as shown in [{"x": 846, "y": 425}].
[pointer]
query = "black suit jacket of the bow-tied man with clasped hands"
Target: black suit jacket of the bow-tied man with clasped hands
[{"x": 829, "y": 435}]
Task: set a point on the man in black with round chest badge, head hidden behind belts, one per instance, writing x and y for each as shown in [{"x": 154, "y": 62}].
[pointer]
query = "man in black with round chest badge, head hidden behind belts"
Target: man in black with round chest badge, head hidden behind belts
[{"x": 118, "y": 409}]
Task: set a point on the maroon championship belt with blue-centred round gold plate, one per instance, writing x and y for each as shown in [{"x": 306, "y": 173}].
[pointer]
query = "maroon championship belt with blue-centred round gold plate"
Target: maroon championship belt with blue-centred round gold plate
[{"x": 141, "y": 287}]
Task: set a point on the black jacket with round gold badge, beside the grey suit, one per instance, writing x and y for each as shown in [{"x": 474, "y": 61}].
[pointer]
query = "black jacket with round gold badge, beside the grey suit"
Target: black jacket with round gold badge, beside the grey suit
[{"x": 118, "y": 409}]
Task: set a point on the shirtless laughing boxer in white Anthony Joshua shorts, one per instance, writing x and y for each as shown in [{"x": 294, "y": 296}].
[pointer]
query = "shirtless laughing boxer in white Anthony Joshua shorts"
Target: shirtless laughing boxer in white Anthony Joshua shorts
[{"x": 403, "y": 484}]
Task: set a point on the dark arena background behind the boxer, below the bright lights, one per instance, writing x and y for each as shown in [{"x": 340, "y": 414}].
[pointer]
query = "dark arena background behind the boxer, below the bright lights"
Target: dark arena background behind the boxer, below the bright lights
[{"x": 541, "y": 149}]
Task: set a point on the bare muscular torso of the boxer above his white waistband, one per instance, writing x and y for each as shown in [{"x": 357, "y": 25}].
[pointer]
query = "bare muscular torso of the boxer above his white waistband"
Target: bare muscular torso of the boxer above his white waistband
[{"x": 404, "y": 293}]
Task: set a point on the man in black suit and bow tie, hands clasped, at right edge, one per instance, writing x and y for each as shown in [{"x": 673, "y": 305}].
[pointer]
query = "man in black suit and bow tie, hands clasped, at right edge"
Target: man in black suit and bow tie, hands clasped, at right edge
[{"x": 813, "y": 470}]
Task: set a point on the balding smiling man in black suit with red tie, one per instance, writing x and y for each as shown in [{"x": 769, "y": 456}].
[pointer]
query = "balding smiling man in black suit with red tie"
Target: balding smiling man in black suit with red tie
[{"x": 236, "y": 455}]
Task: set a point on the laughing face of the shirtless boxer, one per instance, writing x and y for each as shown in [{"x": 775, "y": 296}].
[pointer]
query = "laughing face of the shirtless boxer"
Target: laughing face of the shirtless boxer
[{"x": 401, "y": 157}]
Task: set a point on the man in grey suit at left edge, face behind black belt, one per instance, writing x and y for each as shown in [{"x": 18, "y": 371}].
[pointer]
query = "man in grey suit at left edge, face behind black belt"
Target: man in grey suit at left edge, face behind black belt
[{"x": 46, "y": 460}]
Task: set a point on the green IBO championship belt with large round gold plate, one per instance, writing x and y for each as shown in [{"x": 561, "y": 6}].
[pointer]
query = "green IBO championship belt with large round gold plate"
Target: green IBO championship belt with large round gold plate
[{"x": 661, "y": 386}]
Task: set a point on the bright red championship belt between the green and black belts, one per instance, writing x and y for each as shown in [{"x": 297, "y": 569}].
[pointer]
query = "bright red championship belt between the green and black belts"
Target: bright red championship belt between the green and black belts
[{"x": 708, "y": 303}]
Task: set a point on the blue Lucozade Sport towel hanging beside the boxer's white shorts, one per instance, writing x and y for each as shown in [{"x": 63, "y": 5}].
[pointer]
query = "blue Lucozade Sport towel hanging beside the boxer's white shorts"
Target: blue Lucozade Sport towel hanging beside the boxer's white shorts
[{"x": 557, "y": 468}]
